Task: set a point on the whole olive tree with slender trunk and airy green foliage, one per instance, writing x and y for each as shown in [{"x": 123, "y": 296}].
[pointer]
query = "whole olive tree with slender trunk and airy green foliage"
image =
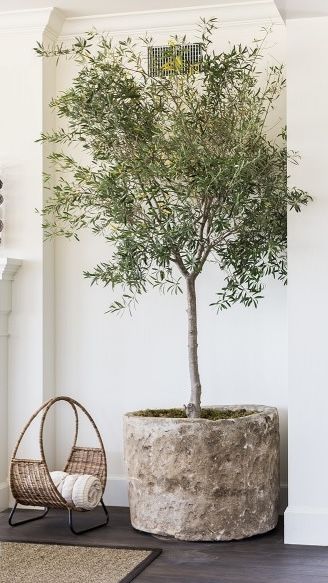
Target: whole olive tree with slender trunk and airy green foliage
[{"x": 179, "y": 169}]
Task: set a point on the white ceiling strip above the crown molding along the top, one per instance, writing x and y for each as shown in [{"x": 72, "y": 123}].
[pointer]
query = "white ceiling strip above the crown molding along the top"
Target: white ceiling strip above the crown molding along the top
[{"x": 73, "y": 8}]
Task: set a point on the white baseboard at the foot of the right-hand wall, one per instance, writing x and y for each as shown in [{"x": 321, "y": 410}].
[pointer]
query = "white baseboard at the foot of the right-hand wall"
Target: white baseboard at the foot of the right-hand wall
[{"x": 306, "y": 526}]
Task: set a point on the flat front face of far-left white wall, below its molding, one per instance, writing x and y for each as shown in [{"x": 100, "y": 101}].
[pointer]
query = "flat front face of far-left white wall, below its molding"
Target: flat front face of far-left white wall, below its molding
[{"x": 21, "y": 160}]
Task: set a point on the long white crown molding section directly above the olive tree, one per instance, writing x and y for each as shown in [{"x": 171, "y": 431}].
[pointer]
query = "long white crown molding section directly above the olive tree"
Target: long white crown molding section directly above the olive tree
[{"x": 235, "y": 13}]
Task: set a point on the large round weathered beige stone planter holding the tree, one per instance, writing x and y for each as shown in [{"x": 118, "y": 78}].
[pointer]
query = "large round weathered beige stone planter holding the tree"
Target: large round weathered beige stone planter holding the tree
[{"x": 195, "y": 479}]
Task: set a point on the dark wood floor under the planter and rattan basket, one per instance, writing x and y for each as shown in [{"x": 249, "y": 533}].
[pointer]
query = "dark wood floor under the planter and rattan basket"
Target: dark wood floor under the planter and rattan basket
[{"x": 263, "y": 559}]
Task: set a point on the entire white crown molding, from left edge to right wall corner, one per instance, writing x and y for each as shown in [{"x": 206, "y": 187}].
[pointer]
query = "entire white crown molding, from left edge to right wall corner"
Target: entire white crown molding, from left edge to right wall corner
[{"x": 52, "y": 23}]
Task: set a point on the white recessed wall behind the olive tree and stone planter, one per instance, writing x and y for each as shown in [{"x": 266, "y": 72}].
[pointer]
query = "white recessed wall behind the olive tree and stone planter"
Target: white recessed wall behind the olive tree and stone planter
[{"x": 114, "y": 365}]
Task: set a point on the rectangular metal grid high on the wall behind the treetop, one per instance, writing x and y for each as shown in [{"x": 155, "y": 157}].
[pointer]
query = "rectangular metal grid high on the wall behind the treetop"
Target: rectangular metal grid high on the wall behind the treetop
[{"x": 171, "y": 59}]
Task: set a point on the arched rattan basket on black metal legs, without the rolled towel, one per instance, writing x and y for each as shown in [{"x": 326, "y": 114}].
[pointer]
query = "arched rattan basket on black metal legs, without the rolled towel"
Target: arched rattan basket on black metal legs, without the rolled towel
[{"x": 30, "y": 481}]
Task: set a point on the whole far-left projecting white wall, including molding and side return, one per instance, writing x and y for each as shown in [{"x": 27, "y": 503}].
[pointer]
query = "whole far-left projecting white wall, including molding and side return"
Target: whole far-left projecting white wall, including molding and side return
[{"x": 25, "y": 89}]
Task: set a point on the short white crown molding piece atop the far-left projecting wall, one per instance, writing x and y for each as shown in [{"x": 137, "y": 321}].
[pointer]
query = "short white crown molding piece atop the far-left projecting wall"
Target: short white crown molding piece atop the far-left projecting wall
[{"x": 48, "y": 21}]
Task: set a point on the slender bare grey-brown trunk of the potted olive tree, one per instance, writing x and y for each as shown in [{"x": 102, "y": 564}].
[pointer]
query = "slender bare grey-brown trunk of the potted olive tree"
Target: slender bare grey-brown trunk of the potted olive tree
[{"x": 193, "y": 408}]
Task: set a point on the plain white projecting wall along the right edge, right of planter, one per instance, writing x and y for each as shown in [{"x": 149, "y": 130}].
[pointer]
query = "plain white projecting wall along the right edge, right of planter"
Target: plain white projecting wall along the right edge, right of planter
[{"x": 306, "y": 519}]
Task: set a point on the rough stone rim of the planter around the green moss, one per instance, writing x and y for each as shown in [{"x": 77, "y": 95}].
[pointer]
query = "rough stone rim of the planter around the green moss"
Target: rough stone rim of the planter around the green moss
[{"x": 259, "y": 411}]
